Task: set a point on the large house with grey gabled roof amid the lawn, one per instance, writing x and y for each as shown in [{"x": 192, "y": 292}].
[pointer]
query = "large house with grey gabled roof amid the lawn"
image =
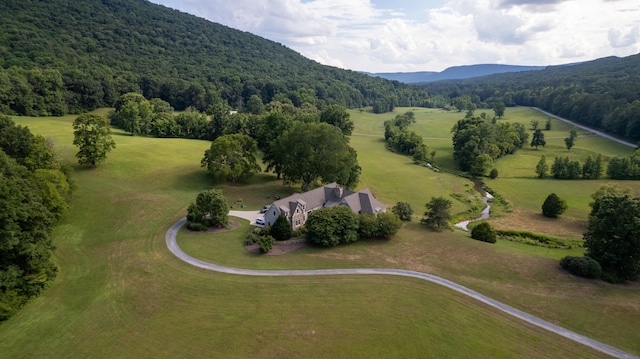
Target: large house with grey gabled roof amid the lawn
[{"x": 298, "y": 206}]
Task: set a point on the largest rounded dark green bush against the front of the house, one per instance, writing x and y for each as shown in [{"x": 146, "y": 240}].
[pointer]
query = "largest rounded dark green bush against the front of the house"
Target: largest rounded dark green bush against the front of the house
[{"x": 331, "y": 226}]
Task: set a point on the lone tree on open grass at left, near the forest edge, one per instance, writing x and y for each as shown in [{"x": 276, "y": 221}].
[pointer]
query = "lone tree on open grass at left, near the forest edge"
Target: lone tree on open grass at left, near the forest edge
[{"x": 92, "y": 135}]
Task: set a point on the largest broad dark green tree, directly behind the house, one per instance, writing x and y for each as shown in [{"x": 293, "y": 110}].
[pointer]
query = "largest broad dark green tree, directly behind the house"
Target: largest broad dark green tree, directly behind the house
[{"x": 310, "y": 152}]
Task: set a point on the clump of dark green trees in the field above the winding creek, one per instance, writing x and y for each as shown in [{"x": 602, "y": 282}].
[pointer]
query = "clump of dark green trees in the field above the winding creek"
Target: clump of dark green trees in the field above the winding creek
[{"x": 477, "y": 142}]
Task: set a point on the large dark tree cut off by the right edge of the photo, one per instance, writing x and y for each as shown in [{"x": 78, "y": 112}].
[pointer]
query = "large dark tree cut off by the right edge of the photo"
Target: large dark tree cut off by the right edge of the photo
[{"x": 613, "y": 235}]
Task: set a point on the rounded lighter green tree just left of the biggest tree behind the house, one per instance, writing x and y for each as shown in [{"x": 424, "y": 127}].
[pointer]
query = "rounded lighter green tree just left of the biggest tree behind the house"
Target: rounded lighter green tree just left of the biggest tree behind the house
[{"x": 231, "y": 157}]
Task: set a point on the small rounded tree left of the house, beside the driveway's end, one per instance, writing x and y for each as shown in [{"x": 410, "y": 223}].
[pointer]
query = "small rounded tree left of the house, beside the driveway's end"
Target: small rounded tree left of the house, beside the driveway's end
[{"x": 209, "y": 210}]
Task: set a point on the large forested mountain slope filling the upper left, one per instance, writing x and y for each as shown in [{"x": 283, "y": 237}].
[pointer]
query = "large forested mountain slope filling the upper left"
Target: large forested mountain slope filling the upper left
[{"x": 59, "y": 56}]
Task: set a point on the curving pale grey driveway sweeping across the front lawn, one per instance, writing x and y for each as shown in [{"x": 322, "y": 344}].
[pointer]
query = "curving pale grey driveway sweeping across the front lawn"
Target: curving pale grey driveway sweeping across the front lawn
[{"x": 173, "y": 247}]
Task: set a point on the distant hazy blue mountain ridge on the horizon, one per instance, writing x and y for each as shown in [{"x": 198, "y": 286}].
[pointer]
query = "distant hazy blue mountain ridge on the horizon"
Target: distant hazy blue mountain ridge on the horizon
[{"x": 453, "y": 73}]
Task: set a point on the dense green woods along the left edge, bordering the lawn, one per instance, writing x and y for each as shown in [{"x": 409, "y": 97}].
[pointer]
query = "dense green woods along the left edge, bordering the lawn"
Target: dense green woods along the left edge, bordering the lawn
[{"x": 34, "y": 189}]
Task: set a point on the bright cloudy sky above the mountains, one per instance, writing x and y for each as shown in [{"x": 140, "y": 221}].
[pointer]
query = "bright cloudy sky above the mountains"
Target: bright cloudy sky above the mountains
[{"x": 431, "y": 35}]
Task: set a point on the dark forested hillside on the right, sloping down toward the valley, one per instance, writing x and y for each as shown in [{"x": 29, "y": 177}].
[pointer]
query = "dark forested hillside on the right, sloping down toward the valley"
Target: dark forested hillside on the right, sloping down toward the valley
[{"x": 604, "y": 93}]
